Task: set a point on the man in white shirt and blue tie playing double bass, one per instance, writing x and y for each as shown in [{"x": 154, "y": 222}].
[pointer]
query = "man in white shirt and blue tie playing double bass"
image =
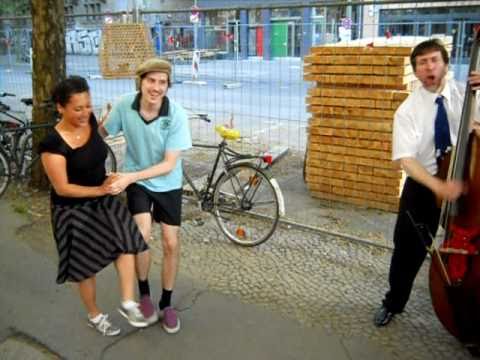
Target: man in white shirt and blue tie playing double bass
[{"x": 425, "y": 128}]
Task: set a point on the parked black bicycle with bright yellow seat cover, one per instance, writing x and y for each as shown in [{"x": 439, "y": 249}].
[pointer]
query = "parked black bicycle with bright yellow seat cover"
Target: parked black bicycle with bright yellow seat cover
[{"x": 244, "y": 198}]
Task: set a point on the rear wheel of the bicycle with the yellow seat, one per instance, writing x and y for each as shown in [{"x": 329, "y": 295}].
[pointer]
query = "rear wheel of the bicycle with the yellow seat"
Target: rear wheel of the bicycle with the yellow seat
[{"x": 246, "y": 206}]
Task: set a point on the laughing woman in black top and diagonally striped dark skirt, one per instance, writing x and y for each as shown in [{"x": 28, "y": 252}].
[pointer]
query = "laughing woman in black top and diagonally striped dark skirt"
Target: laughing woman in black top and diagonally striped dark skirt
[{"x": 91, "y": 227}]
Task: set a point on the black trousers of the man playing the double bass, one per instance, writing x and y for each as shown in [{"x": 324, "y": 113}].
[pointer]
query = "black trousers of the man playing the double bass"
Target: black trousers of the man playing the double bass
[{"x": 409, "y": 249}]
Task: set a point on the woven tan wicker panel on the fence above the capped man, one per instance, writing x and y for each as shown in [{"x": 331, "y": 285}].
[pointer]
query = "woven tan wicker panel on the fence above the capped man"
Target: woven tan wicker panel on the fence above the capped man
[{"x": 122, "y": 48}]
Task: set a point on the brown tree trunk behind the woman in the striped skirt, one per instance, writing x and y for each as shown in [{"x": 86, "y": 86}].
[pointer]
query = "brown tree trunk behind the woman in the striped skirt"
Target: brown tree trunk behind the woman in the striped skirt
[{"x": 48, "y": 49}]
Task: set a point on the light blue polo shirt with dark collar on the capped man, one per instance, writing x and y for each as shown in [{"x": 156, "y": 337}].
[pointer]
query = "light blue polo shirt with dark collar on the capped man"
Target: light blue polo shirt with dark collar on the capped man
[{"x": 148, "y": 141}]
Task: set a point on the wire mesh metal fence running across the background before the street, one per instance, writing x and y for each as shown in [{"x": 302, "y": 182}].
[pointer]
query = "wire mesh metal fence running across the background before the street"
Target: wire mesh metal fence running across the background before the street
[{"x": 265, "y": 98}]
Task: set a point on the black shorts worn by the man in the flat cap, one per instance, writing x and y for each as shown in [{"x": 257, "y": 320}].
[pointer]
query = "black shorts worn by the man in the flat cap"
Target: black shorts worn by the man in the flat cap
[{"x": 165, "y": 207}]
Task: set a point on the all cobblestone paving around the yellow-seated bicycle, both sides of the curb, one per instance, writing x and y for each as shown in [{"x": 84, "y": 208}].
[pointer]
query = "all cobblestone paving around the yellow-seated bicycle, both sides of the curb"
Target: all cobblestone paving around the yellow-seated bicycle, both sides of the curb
[{"x": 312, "y": 277}]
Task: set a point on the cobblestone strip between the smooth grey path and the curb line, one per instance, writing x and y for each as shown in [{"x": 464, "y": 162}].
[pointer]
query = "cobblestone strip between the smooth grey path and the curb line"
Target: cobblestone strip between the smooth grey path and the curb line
[{"x": 316, "y": 280}]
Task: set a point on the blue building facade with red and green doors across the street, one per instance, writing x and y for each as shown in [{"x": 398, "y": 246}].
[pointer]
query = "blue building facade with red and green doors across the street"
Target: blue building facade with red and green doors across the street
[{"x": 279, "y": 28}]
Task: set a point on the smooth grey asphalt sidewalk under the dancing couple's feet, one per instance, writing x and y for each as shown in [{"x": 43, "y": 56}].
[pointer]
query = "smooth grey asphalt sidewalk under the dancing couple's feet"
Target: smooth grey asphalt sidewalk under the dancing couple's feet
[{"x": 40, "y": 320}]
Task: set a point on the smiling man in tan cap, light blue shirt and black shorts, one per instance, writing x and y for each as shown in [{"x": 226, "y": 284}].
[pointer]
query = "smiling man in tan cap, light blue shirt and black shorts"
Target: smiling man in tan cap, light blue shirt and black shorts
[{"x": 156, "y": 130}]
